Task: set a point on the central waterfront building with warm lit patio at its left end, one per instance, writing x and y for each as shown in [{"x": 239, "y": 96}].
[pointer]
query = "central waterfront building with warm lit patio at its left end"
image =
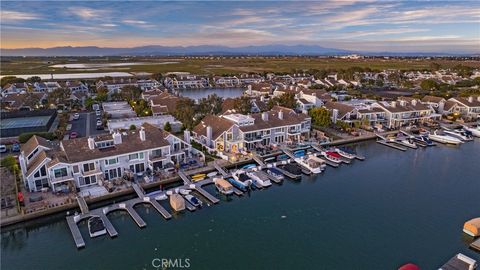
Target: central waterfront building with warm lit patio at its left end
[{"x": 233, "y": 133}]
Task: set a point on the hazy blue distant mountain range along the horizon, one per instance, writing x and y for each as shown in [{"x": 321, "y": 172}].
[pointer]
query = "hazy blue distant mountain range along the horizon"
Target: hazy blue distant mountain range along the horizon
[{"x": 199, "y": 50}]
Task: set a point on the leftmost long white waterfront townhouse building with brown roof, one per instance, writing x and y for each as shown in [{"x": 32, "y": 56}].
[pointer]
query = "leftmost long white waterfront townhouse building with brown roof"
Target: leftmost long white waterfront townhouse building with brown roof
[{"x": 86, "y": 162}]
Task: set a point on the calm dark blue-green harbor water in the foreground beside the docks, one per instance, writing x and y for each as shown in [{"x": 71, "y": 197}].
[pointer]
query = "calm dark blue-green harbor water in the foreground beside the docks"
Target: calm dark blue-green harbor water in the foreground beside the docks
[{"x": 393, "y": 208}]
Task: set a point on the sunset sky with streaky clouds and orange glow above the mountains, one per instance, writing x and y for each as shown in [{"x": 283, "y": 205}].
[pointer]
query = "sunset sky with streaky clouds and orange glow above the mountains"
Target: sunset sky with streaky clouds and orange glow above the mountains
[{"x": 427, "y": 26}]
